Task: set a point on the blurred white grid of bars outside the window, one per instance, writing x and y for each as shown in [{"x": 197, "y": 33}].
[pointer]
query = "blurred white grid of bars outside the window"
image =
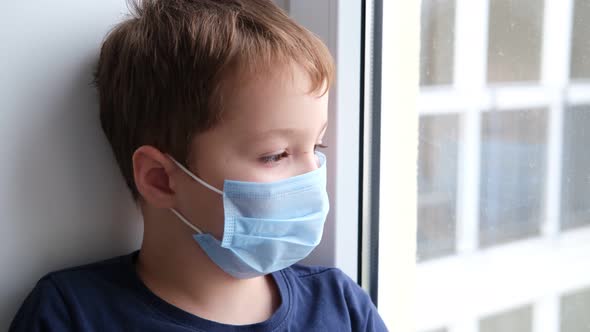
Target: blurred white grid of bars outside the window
[{"x": 455, "y": 292}]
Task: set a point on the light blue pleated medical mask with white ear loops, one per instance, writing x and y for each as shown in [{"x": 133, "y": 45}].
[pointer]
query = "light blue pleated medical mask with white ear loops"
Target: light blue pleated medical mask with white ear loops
[{"x": 267, "y": 226}]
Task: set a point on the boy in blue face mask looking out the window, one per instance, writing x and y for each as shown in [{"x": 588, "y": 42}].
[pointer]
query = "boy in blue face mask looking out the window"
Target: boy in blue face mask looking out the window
[{"x": 214, "y": 110}]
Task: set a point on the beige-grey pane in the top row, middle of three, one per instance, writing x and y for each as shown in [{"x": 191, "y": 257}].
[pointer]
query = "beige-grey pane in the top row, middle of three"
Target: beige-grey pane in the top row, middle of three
[{"x": 514, "y": 51}]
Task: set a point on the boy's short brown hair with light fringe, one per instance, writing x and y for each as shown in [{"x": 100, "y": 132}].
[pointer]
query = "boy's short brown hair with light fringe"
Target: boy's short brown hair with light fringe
[{"x": 160, "y": 73}]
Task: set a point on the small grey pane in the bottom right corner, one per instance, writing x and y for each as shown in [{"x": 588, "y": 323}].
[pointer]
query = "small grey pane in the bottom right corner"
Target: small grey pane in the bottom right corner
[{"x": 574, "y": 311}]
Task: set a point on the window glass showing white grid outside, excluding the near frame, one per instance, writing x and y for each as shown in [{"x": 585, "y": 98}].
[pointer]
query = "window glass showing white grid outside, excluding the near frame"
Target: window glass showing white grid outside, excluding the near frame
[{"x": 499, "y": 180}]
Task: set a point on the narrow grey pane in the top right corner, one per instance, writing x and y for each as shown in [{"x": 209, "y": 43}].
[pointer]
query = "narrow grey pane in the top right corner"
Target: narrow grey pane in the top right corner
[{"x": 580, "y": 59}]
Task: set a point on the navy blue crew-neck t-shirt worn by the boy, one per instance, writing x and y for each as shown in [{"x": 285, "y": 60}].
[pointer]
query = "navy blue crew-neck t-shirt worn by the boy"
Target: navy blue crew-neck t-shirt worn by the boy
[{"x": 109, "y": 296}]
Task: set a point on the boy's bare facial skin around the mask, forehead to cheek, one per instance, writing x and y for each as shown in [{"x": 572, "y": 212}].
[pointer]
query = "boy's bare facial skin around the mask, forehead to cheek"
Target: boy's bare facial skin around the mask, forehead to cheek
[{"x": 270, "y": 128}]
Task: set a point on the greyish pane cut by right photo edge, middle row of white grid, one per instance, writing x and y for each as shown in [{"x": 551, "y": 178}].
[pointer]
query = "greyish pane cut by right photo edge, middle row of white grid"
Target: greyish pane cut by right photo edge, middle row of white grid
[{"x": 575, "y": 194}]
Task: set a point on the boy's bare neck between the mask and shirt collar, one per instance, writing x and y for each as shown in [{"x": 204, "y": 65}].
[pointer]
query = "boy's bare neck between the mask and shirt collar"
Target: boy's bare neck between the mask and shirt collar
[{"x": 180, "y": 273}]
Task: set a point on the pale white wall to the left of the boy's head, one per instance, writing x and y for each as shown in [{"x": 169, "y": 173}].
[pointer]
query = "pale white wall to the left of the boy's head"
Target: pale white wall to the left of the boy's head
[{"x": 62, "y": 200}]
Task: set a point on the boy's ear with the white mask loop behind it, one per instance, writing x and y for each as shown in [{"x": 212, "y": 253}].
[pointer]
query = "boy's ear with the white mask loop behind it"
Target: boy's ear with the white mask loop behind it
[{"x": 151, "y": 171}]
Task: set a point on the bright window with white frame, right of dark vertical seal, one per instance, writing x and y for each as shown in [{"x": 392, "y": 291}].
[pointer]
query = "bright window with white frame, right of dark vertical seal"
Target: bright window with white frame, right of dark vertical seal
[{"x": 502, "y": 105}]
